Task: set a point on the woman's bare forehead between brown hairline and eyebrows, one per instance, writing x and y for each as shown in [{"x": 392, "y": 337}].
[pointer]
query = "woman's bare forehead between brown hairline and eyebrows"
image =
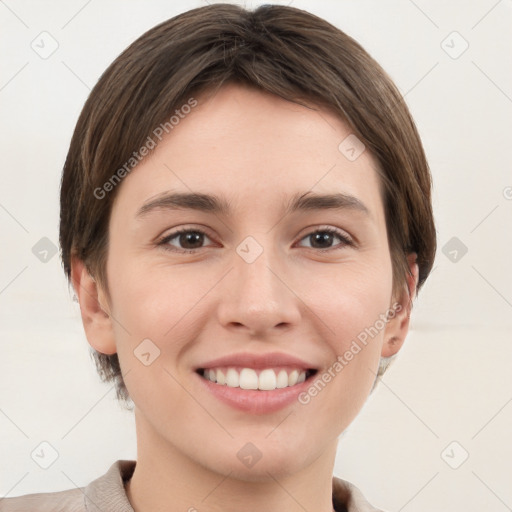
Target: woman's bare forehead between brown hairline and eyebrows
[{"x": 251, "y": 147}]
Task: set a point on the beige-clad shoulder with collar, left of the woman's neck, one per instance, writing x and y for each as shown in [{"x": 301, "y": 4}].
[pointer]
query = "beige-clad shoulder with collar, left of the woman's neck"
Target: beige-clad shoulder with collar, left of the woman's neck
[{"x": 105, "y": 493}]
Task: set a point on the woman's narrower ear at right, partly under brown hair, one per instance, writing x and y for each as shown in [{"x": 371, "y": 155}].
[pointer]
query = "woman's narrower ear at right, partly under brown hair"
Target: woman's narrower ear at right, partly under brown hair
[{"x": 398, "y": 324}]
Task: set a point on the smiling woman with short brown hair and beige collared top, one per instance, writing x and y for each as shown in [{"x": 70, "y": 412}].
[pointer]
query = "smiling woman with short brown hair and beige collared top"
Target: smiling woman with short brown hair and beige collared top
[{"x": 245, "y": 219}]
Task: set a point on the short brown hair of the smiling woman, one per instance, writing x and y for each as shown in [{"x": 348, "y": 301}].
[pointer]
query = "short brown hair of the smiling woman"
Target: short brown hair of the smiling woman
[{"x": 283, "y": 50}]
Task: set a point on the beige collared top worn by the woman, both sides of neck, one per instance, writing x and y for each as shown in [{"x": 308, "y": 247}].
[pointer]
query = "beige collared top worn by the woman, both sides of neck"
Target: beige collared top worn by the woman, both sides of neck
[{"x": 107, "y": 494}]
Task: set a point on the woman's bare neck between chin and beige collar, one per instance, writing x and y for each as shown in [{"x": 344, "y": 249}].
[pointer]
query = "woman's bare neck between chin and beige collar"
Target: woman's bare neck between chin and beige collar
[{"x": 167, "y": 480}]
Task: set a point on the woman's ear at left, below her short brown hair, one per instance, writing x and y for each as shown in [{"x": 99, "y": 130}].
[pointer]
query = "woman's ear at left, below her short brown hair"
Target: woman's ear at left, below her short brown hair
[{"x": 94, "y": 309}]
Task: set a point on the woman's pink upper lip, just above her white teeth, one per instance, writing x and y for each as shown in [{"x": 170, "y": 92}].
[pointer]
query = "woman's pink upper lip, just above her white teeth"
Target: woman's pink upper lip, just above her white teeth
[{"x": 258, "y": 361}]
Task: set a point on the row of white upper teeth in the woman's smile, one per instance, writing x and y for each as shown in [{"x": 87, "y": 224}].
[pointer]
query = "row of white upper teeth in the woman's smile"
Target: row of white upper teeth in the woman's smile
[{"x": 248, "y": 378}]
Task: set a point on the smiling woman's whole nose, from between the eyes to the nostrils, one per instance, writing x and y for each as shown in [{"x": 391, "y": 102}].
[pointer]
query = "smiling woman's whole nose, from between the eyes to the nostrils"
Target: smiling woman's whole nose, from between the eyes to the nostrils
[{"x": 257, "y": 296}]
